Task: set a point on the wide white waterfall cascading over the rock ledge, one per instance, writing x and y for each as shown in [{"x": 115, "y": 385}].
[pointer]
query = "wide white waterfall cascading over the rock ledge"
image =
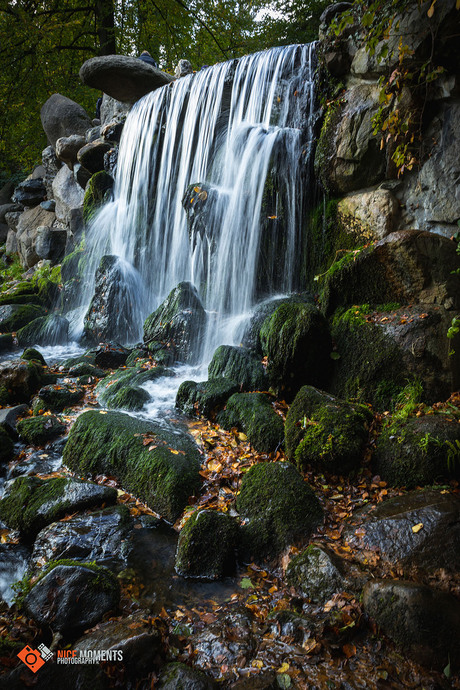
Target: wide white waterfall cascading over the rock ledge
[{"x": 210, "y": 187}]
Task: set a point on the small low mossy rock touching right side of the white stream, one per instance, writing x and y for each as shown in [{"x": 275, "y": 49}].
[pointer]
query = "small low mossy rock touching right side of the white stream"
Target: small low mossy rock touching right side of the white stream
[{"x": 205, "y": 397}]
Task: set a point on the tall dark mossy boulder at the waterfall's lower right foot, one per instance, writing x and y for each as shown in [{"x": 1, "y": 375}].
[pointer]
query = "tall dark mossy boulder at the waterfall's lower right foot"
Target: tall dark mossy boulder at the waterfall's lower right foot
[{"x": 297, "y": 342}]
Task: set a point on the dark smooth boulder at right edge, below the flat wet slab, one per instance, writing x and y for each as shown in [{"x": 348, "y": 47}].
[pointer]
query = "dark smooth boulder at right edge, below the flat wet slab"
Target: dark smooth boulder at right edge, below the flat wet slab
[{"x": 423, "y": 622}]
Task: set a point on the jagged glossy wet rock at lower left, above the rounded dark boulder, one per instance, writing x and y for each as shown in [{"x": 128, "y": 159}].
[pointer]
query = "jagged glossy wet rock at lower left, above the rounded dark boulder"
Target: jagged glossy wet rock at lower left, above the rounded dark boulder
[{"x": 100, "y": 537}]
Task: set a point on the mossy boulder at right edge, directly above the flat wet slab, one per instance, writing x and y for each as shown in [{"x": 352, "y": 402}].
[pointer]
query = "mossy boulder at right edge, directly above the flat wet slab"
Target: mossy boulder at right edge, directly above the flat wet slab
[{"x": 419, "y": 451}]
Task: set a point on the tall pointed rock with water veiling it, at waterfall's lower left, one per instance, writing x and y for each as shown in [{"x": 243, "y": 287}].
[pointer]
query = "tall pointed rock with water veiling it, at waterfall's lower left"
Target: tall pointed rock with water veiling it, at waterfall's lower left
[{"x": 116, "y": 303}]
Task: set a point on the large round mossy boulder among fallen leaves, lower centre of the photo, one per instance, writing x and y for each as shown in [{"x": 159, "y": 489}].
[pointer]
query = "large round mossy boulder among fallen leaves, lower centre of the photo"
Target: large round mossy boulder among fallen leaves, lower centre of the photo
[{"x": 277, "y": 508}]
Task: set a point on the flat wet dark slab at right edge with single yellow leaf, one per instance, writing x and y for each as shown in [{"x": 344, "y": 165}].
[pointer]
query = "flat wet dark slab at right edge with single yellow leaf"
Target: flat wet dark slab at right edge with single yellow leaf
[{"x": 388, "y": 529}]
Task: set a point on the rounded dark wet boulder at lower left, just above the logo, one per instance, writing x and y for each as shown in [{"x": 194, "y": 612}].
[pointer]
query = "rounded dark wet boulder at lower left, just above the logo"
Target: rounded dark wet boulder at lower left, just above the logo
[{"x": 71, "y": 598}]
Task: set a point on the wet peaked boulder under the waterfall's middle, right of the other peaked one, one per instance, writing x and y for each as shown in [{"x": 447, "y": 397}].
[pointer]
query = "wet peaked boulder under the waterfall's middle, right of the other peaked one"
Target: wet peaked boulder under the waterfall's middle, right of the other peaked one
[{"x": 179, "y": 321}]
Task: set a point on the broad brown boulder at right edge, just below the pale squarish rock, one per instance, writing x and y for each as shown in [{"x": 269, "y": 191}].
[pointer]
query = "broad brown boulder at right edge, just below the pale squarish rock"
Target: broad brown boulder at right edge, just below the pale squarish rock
[{"x": 405, "y": 267}]
